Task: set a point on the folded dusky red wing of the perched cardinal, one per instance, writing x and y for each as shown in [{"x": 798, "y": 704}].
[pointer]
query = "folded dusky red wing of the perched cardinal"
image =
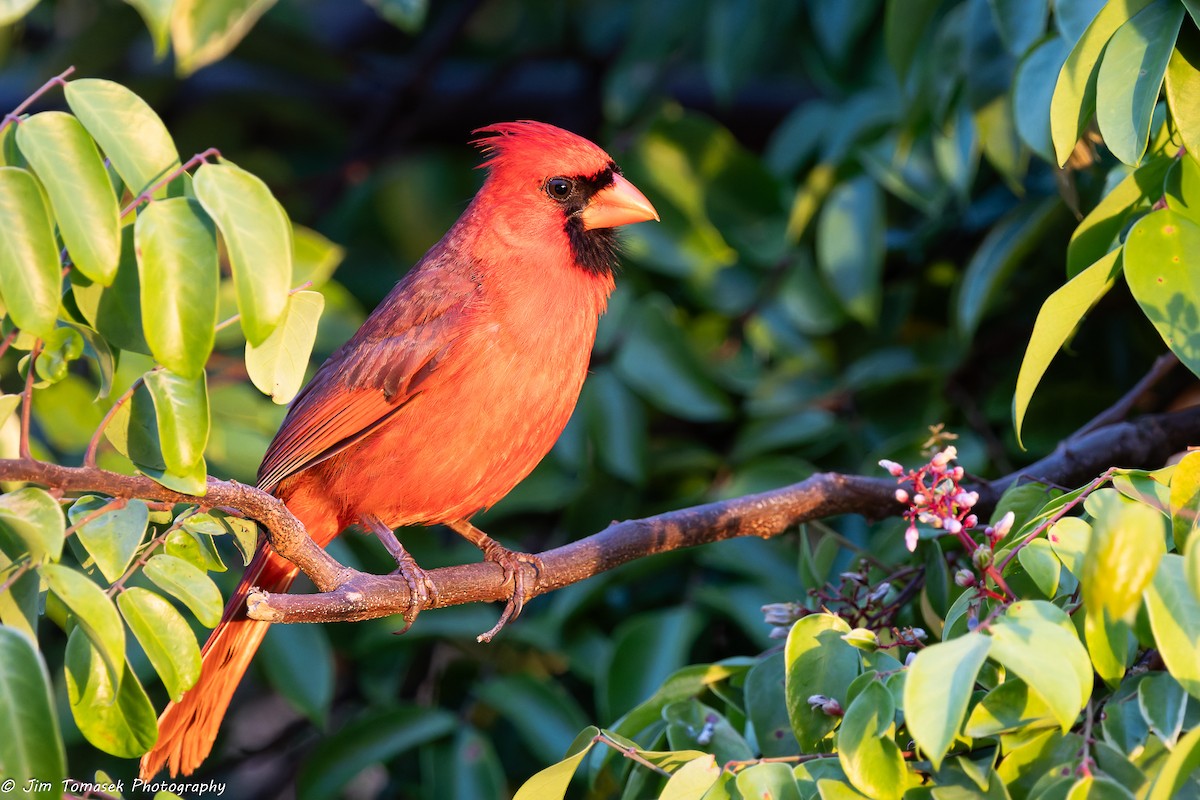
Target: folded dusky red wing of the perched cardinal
[{"x": 397, "y": 354}]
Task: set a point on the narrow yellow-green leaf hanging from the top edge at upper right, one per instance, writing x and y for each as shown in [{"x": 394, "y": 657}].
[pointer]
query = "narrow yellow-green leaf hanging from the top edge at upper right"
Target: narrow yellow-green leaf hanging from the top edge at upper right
[{"x": 1075, "y": 95}]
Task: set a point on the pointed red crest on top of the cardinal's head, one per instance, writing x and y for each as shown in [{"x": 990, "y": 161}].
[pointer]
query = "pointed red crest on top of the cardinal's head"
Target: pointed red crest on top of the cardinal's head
[{"x": 539, "y": 148}]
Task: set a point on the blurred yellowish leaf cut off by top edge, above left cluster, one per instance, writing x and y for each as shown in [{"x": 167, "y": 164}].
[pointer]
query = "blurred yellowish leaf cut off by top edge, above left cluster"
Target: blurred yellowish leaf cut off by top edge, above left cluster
[{"x": 205, "y": 32}]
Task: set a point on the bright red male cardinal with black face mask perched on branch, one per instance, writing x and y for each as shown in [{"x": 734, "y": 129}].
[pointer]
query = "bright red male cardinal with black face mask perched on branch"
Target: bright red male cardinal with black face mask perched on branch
[{"x": 447, "y": 398}]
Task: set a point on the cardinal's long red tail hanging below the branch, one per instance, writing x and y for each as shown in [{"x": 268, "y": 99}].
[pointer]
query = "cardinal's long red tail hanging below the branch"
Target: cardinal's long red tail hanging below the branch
[{"x": 188, "y": 729}]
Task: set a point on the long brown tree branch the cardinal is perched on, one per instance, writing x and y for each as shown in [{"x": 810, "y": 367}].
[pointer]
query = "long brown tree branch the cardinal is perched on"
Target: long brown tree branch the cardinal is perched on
[{"x": 350, "y": 596}]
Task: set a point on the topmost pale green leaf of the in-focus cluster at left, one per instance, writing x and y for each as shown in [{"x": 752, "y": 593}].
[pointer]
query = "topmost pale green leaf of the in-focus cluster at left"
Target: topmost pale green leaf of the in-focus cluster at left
[{"x": 130, "y": 134}]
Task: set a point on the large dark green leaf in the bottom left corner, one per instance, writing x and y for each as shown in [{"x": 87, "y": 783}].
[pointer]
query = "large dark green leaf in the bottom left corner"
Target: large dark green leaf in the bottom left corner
[{"x": 33, "y": 745}]
